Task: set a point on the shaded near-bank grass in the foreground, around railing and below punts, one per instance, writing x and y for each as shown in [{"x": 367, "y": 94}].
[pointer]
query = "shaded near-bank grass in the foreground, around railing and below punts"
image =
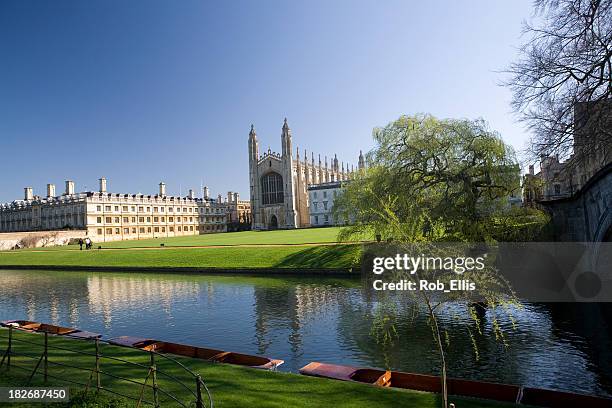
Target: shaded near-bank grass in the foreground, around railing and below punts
[{"x": 231, "y": 386}]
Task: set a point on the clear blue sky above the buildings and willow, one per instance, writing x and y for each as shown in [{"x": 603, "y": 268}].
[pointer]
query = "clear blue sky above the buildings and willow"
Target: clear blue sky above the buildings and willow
[{"x": 143, "y": 91}]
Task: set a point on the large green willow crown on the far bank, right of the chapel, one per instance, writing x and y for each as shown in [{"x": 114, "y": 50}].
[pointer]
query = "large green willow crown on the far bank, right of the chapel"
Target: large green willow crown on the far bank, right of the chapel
[{"x": 444, "y": 180}]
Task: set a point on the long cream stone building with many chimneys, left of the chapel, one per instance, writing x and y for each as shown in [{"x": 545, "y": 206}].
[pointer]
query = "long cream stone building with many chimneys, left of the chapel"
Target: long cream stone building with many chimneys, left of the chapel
[{"x": 112, "y": 217}]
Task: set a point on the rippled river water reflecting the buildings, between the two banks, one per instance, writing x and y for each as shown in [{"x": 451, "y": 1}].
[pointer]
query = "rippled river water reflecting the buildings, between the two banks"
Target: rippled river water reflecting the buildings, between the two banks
[{"x": 557, "y": 346}]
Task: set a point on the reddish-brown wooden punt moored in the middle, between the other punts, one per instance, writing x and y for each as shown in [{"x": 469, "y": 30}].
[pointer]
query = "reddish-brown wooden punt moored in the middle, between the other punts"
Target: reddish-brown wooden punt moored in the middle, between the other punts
[{"x": 215, "y": 355}]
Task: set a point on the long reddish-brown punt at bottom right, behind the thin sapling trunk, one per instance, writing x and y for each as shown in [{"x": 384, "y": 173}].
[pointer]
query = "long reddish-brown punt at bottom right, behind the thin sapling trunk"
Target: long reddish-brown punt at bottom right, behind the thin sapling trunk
[{"x": 466, "y": 388}]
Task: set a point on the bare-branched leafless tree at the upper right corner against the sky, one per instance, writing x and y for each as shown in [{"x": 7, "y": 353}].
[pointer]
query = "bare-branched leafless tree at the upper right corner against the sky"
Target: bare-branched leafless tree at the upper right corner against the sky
[{"x": 562, "y": 81}]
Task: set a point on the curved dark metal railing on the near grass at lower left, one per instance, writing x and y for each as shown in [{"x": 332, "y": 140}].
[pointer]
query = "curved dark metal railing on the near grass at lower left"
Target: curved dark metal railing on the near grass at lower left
[{"x": 196, "y": 391}]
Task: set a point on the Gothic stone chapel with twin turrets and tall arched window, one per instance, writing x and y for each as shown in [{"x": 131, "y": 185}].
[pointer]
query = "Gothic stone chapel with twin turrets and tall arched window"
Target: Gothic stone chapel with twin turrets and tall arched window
[{"x": 279, "y": 182}]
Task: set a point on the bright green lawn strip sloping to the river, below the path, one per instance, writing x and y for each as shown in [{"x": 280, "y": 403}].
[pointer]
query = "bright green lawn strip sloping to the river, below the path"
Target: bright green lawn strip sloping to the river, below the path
[{"x": 324, "y": 257}]
